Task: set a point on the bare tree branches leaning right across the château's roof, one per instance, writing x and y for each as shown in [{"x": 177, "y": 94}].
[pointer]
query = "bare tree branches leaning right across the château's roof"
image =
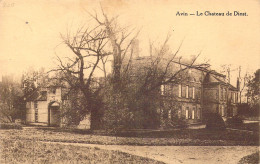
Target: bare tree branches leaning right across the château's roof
[{"x": 166, "y": 67}]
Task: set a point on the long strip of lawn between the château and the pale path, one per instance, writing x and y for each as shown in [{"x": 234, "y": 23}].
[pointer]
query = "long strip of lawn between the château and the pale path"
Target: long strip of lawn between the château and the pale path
[{"x": 191, "y": 137}]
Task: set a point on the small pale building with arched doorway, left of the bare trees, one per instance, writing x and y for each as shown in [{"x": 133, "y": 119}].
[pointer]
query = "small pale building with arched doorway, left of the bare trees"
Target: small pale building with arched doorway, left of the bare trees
[{"x": 43, "y": 107}]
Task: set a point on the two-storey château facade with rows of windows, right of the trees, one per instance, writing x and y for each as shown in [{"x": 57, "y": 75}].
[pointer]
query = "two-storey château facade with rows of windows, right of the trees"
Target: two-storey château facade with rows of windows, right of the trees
[{"x": 205, "y": 92}]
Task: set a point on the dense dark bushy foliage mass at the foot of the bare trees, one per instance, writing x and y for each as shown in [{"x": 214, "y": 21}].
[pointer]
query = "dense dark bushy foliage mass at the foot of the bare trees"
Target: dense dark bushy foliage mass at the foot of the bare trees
[{"x": 129, "y": 109}]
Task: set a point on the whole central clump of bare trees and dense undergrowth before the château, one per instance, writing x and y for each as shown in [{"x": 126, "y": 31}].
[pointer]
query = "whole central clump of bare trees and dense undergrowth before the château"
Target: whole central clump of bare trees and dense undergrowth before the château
[{"x": 132, "y": 88}]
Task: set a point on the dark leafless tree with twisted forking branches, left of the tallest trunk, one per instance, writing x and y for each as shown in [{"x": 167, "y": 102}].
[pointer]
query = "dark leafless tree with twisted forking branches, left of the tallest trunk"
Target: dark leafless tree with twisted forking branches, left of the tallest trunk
[{"x": 79, "y": 70}]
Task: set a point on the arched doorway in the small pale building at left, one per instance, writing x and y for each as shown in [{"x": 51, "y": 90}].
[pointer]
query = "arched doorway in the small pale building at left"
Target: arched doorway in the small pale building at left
[{"x": 54, "y": 113}]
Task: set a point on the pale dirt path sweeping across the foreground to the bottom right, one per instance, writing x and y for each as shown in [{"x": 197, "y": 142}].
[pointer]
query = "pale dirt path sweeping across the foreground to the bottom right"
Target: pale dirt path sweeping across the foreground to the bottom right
[{"x": 182, "y": 154}]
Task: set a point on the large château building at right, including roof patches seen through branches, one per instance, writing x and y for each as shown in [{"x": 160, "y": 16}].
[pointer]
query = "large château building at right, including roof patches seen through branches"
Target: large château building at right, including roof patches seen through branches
[{"x": 202, "y": 91}]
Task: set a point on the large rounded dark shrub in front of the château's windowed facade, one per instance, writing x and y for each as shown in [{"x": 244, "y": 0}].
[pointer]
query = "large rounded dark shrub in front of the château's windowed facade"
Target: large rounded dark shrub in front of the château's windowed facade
[{"x": 214, "y": 121}]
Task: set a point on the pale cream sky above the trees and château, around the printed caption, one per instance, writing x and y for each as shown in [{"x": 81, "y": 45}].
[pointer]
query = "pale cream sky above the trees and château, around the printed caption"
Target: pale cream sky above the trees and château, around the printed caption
[{"x": 30, "y": 29}]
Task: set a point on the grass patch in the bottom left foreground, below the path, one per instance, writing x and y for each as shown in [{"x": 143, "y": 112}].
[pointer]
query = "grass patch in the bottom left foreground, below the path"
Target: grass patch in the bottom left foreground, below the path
[{"x": 25, "y": 151}]
